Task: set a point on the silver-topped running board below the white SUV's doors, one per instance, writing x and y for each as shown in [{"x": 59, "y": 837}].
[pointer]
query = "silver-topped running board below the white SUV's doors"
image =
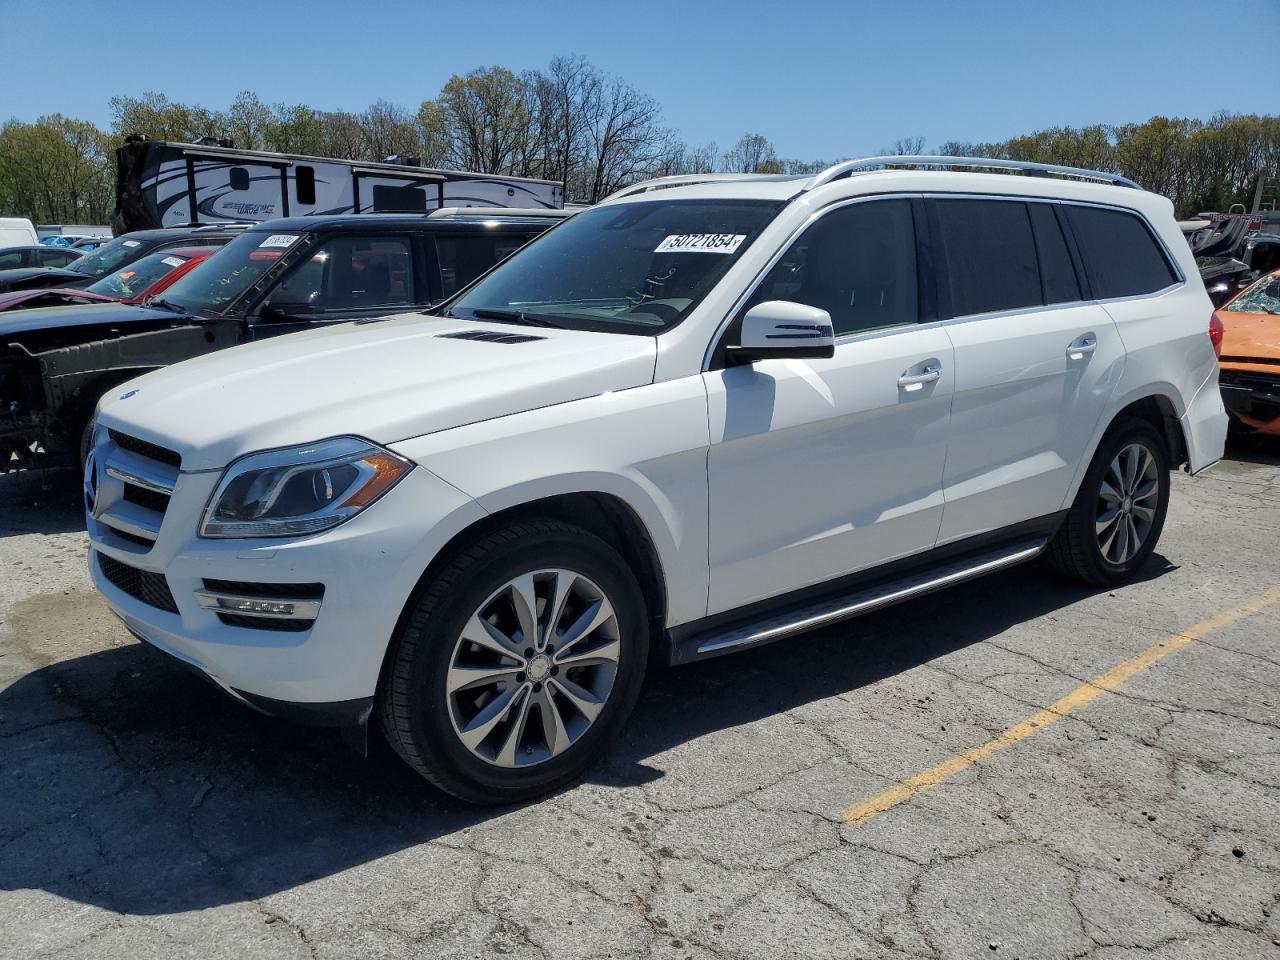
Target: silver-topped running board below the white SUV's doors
[{"x": 833, "y": 610}]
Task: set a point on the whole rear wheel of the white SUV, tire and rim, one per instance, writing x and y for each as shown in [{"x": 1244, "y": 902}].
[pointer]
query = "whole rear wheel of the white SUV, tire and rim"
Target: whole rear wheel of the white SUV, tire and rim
[{"x": 1119, "y": 513}]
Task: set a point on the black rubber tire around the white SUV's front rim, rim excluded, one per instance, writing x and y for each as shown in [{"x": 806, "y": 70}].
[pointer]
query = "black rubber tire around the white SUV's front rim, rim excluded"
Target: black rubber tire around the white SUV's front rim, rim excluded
[{"x": 414, "y": 707}]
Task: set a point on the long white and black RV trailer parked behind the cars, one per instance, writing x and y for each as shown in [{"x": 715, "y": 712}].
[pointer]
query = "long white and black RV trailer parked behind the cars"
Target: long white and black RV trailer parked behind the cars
[{"x": 161, "y": 185}]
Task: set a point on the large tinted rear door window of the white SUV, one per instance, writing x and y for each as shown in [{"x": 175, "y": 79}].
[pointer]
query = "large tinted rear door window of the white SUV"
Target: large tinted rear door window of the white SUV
[{"x": 990, "y": 255}]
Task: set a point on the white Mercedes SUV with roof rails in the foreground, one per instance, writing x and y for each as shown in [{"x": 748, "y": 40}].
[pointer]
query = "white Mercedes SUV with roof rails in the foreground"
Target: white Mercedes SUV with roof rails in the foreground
[{"x": 705, "y": 415}]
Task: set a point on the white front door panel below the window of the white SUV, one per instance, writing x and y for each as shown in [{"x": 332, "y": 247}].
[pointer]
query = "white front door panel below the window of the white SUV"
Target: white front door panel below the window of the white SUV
[{"x": 824, "y": 468}]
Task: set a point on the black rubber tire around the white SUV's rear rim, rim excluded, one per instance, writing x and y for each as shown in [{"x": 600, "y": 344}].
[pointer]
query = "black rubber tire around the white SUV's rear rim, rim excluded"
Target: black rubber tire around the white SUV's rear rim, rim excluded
[{"x": 1076, "y": 550}]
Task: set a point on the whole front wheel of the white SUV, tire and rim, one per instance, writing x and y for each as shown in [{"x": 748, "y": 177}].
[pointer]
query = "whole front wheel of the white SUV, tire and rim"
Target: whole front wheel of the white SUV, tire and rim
[{"x": 519, "y": 664}]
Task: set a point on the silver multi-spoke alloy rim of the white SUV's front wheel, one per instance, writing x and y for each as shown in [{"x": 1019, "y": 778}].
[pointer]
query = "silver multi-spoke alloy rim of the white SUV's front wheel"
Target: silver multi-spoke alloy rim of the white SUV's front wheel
[{"x": 533, "y": 669}]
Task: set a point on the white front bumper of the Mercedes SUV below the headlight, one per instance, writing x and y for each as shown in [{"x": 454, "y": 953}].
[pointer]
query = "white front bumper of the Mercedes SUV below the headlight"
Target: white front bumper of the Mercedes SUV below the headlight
[{"x": 369, "y": 568}]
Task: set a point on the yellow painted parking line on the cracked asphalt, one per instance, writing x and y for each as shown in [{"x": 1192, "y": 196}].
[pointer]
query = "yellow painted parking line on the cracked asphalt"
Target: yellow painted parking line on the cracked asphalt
[{"x": 1080, "y": 698}]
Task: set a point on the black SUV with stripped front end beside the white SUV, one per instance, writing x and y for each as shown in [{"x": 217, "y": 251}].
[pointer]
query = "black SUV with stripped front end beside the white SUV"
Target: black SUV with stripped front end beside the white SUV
[{"x": 272, "y": 280}]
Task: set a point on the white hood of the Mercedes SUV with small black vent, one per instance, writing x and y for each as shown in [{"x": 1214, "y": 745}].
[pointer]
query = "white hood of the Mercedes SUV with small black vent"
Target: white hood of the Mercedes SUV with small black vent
[{"x": 386, "y": 381}]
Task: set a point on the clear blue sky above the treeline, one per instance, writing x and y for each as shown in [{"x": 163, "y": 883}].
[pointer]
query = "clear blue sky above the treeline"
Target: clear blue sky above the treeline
[{"x": 820, "y": 79}]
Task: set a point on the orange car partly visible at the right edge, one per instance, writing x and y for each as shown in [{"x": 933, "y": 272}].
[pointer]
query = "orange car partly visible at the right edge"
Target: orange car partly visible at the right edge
[{"x": 1250, "y": 355}]
